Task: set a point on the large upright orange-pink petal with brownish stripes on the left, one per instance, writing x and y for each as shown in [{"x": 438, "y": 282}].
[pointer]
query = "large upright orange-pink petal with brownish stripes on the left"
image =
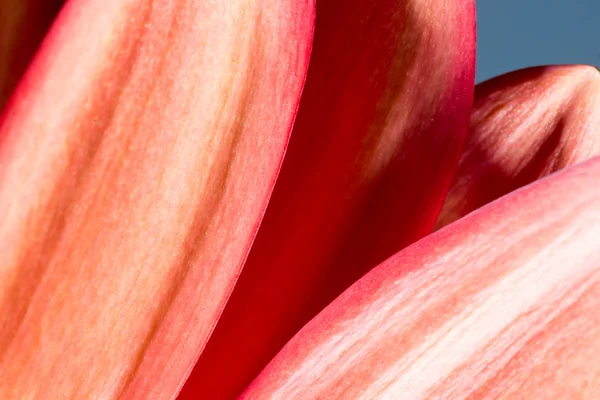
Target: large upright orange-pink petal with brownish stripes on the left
[{"x": 136, "y": 160}]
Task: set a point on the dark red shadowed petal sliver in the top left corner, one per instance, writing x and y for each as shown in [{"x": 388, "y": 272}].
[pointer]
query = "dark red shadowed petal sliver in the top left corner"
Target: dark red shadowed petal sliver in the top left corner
[{"x": 23, "y": 24}]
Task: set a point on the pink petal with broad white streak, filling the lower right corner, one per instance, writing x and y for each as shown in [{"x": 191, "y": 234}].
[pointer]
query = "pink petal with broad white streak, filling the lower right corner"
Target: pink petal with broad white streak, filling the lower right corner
[{"x": 501, "y": 304}]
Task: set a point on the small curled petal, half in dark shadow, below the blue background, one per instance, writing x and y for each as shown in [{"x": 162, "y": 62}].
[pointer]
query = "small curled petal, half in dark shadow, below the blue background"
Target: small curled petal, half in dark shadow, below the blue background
[{"x": 525, "y": 125}]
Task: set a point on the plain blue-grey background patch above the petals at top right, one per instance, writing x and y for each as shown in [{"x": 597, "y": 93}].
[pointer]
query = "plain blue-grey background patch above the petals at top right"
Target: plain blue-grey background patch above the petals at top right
[{"x": 513, "y": 34}]
